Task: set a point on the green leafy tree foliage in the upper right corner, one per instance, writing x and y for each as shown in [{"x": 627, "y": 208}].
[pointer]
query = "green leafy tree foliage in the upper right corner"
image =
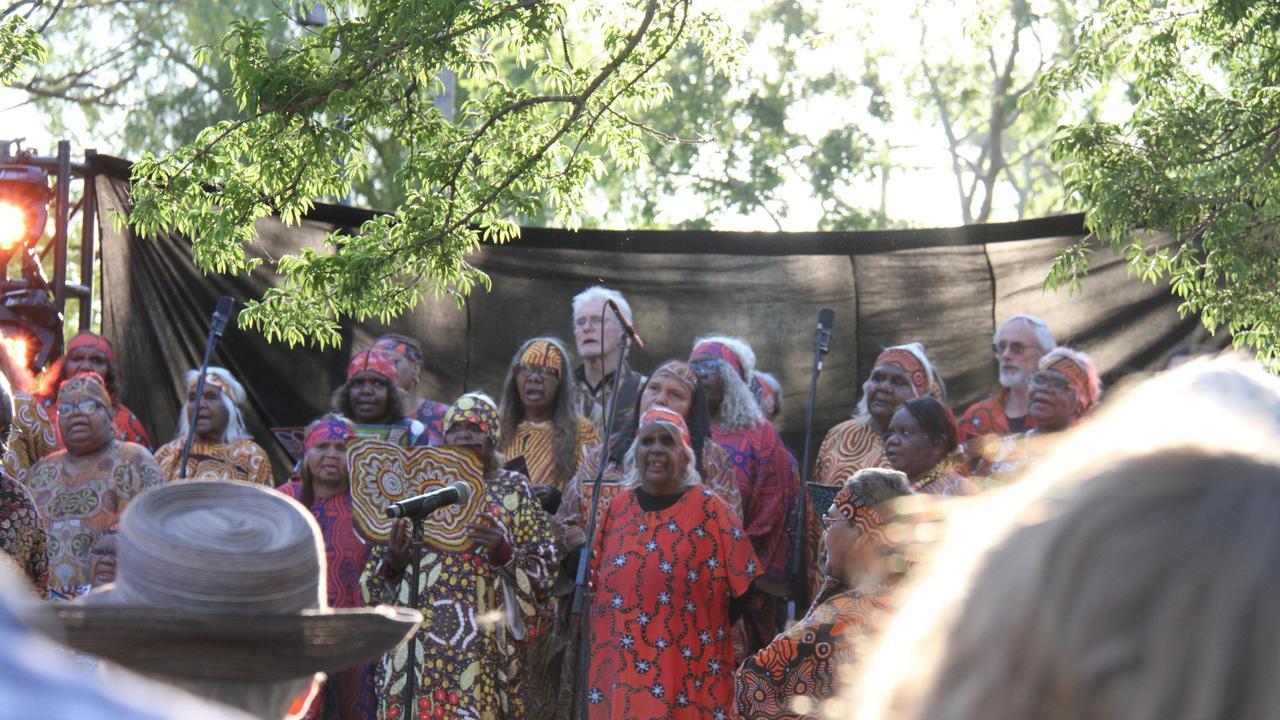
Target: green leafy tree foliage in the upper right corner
[{"x": 1195, "y": 160}]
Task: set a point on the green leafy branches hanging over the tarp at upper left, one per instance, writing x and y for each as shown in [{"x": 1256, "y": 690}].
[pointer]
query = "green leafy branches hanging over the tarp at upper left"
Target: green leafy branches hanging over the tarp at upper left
[{"x": 309, "y": 108}]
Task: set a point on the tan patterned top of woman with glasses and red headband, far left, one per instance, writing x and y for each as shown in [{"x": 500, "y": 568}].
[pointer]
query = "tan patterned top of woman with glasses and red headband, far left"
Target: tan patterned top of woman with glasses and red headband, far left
[{"x": 81, "y": 498}]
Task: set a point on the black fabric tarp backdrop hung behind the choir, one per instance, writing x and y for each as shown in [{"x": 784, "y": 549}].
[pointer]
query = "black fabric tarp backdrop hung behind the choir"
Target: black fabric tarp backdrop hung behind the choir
[{"x": 947, "y": 289}]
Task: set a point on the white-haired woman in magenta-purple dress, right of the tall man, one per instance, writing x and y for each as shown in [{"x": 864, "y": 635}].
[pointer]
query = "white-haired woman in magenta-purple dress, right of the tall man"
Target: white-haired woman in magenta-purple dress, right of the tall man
[{"x": 767, "y": 477}]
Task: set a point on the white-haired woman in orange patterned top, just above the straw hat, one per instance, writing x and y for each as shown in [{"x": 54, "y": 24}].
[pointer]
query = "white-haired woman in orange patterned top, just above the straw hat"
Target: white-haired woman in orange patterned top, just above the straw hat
[{"x": 223, "y": 449}]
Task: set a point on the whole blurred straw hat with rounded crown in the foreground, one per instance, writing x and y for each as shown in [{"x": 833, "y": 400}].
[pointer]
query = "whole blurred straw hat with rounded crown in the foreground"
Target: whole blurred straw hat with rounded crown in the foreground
[{"x": 225, "y": 581}]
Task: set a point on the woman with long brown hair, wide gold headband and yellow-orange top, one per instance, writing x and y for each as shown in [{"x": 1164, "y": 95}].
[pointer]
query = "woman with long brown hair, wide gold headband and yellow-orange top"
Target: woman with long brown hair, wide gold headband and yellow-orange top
[{"x": 540, "y": 414}]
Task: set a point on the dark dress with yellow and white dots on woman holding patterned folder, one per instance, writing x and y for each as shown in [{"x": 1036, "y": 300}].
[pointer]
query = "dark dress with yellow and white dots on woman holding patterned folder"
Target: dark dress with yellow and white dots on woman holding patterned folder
[{"x": 469, "y": 654}]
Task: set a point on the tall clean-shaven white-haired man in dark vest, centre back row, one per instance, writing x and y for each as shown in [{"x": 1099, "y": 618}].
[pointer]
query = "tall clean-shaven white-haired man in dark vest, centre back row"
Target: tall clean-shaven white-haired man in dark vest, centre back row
[{"x": 598, "y": 336}]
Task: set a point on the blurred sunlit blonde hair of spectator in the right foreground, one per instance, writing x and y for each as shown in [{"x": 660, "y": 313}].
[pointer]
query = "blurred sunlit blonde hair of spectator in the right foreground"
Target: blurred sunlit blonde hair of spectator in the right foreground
[{"x": 1119, "y": 581}]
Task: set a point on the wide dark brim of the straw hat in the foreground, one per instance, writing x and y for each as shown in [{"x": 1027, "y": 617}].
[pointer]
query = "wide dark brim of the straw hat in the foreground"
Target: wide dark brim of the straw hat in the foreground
[{"x": 185, "y": 644}]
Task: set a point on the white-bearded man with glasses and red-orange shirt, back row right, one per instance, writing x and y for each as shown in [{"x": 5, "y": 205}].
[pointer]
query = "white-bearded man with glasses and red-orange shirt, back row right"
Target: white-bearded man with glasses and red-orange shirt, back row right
[{"x": 1020, "y": 345}]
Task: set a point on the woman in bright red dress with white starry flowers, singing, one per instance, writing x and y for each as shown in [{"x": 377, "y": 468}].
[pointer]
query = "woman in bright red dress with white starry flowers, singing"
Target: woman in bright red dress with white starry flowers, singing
[{"x": 670, "y": 563}]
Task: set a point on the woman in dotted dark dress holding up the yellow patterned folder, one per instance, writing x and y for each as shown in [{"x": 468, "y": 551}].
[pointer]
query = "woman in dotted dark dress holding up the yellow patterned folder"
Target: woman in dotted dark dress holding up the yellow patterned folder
[{"x": 481, "y": 604}]
